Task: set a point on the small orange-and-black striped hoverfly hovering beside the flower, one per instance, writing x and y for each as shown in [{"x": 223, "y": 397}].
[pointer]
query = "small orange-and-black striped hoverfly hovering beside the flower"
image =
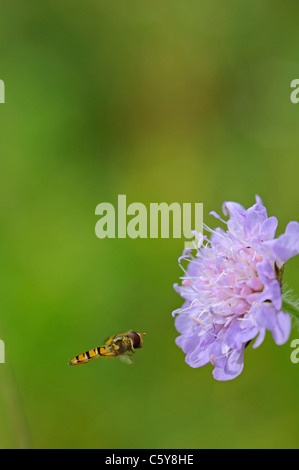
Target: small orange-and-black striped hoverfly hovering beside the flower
[{"x": 122, "y": 345}]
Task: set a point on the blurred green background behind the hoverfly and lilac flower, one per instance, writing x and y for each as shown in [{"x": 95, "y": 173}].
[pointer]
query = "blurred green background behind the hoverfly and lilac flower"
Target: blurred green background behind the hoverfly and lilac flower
[{"x": 161, "y": 100}]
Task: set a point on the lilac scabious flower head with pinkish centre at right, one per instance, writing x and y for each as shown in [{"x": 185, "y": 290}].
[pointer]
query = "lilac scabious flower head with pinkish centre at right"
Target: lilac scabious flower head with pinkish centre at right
[{"x": 232, "y": 289}]
